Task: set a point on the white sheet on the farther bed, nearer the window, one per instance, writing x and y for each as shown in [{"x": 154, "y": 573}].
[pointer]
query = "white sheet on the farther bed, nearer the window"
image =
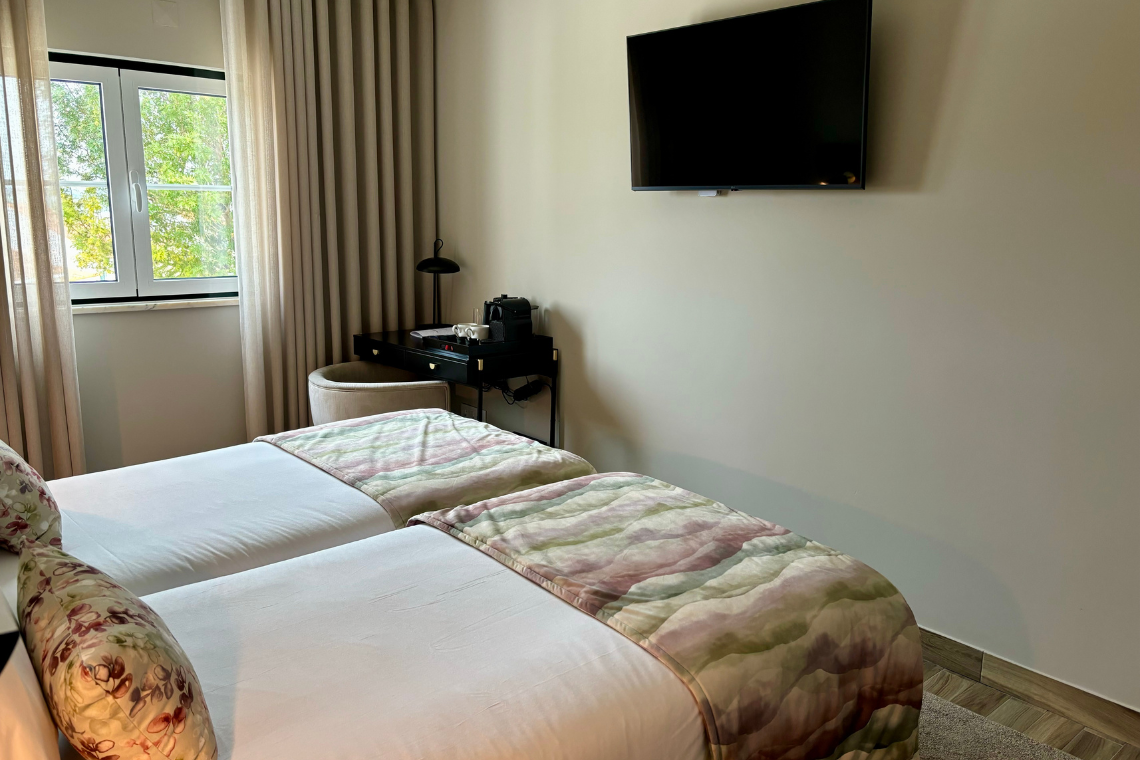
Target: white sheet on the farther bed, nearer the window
[{"x": 170, "y": 524}]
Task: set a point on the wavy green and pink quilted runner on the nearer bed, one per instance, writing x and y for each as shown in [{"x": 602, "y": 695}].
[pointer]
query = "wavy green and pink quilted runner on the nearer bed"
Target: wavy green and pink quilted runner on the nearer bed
[{"x": 793, "y": 650}]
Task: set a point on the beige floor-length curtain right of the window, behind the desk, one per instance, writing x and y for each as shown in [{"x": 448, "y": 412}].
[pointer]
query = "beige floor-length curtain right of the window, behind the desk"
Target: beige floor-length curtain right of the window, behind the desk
[{"x": 332, "y": 126}]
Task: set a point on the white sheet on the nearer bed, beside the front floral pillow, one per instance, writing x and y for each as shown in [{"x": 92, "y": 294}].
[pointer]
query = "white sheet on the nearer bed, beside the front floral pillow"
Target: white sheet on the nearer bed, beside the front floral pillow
[{"x": 413, "y": 645}]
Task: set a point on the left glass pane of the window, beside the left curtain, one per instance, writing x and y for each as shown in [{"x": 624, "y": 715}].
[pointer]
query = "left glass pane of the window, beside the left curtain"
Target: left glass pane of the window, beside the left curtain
[{"x": 85, "y": 194}]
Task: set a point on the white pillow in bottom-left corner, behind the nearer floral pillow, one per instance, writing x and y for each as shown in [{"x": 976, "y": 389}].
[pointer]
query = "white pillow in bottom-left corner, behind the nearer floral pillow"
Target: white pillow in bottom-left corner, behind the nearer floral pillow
[{"x": 27, "y": 731}]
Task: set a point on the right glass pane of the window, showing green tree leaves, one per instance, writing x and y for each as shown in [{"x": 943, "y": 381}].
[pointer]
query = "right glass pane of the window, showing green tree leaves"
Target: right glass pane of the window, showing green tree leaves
[{"x": 186, "y": 150}]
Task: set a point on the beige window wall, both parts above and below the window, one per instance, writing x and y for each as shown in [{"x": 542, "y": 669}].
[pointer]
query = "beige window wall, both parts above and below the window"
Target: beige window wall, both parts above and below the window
[{"x": 153, "y": 385}]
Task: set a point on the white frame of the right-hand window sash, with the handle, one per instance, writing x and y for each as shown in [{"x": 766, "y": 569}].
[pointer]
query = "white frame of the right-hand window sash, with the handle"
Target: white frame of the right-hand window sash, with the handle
[{"x": 132, "y": 83}]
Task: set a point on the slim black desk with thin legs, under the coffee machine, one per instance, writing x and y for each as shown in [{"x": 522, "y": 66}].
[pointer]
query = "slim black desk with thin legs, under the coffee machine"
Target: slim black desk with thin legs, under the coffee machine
[{"x": 476, "y": 366}]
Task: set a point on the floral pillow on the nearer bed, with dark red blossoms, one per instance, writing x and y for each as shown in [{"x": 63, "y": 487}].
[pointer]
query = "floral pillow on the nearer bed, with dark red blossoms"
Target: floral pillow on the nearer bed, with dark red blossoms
[{"x": 117, "y": 683}]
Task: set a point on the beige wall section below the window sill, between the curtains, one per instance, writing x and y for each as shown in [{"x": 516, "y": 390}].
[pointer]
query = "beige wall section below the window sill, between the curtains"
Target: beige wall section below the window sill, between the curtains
[{"x": 159, "y": 385}]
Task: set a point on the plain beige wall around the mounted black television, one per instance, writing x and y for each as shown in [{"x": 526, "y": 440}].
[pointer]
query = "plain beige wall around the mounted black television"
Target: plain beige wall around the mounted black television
[{"x": 939, "y": 375}]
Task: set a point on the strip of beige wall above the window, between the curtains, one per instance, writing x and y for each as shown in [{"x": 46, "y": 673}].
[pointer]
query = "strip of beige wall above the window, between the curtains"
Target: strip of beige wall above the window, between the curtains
[{"x": 128, "y": 29}]
